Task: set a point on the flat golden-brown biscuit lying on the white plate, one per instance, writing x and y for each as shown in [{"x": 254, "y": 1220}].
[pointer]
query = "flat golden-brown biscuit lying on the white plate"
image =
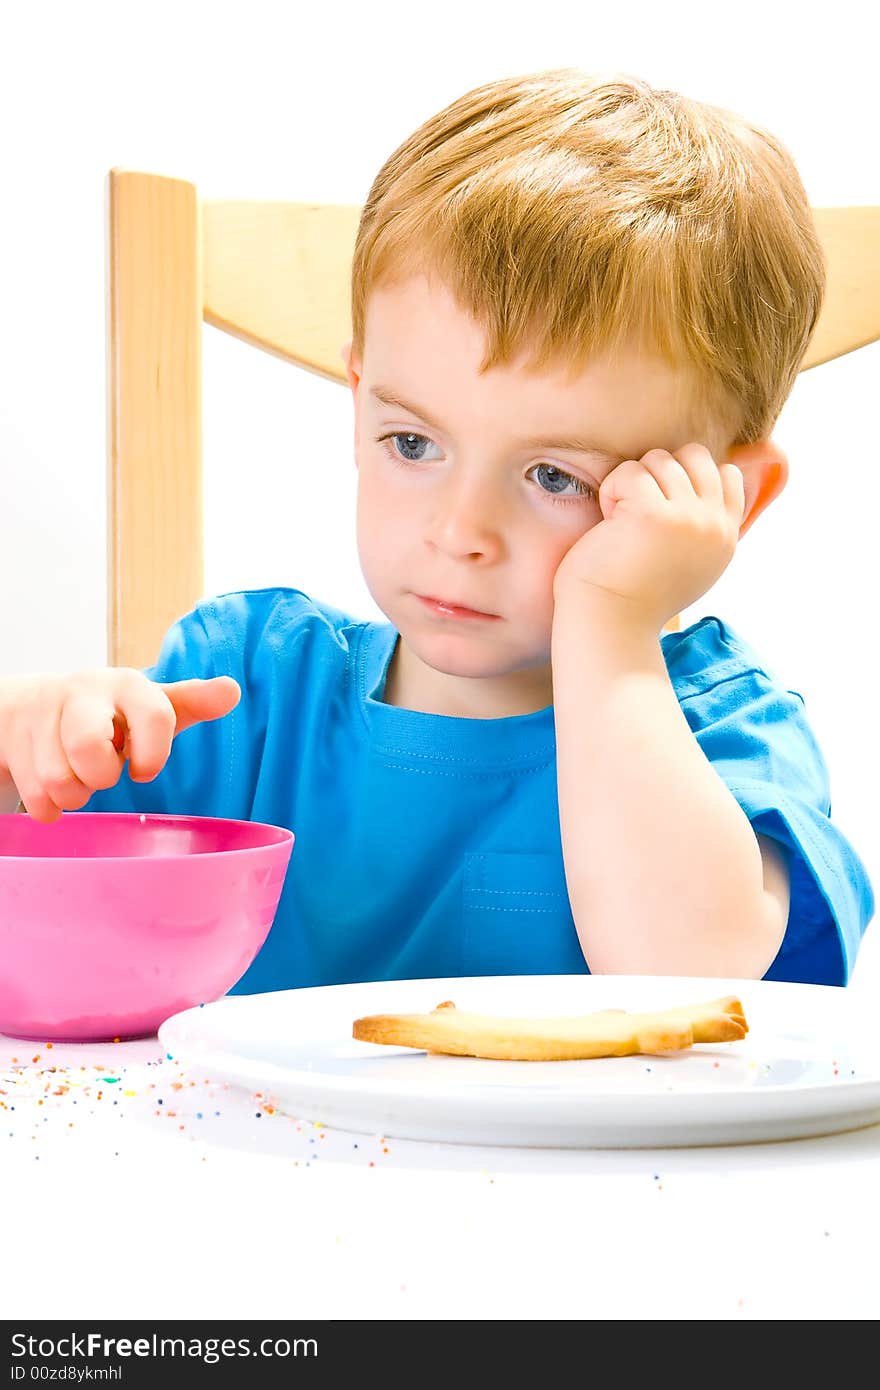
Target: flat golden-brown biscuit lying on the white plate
[{"x": 610, "y": 1033}]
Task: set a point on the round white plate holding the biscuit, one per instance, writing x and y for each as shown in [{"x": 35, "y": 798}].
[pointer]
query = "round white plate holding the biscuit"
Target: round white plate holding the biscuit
[{"x": 810, "y": 1064}]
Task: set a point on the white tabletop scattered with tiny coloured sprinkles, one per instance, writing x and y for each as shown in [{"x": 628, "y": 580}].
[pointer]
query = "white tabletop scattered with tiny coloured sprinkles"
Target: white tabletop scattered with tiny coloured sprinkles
[{"x": 134, "y": 1189}]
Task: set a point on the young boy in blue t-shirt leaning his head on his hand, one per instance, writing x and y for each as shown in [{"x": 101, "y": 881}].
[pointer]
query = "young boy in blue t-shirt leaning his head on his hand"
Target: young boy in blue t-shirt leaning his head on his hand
[{"x": 579, "y": 306}]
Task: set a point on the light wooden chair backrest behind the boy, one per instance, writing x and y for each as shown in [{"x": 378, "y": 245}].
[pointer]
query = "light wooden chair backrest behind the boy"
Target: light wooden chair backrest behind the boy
[{"x": 275, "y": 275}]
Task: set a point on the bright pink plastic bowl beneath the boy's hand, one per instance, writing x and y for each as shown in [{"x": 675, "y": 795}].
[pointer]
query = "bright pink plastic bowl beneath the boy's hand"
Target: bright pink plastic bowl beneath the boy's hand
[{"x": 111, "y": 924}]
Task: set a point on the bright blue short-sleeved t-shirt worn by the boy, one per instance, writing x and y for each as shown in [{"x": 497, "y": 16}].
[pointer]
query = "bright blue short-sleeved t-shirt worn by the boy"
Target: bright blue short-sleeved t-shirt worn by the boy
[{"x": 429, "y": 846}]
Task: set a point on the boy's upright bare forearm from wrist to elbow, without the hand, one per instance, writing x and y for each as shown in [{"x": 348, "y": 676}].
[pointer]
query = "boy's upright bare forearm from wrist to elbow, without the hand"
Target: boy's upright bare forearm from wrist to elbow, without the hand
[{"x": 664, "y": 869}]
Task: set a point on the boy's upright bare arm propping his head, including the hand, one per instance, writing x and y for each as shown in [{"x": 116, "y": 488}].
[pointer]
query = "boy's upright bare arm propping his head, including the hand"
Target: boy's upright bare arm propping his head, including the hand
[{"x": 665, "y": 872}]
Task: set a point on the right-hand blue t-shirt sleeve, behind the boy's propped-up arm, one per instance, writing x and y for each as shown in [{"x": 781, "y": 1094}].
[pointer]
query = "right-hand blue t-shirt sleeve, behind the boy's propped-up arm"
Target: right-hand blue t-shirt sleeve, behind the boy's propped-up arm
[{"x": 758, "y": 739}]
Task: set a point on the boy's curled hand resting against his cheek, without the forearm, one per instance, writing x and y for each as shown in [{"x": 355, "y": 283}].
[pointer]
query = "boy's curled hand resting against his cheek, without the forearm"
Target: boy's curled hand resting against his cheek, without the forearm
[{"x": 671, "y": 528}]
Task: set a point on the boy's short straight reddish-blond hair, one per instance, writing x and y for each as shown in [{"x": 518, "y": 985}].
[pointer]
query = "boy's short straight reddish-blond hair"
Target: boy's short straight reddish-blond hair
[{"x": 571, "y": 213}]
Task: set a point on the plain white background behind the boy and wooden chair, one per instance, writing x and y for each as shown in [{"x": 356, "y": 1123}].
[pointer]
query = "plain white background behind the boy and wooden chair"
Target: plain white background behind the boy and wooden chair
[{"x": 269, "y": 102}]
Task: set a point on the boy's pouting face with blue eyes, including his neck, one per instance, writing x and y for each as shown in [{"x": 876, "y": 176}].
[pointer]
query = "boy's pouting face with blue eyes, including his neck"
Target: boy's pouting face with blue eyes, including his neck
[{"x": 473, "y": 489}]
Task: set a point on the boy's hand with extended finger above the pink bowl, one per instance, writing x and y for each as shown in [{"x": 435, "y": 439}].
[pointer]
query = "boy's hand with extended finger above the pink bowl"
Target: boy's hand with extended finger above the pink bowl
[{"x": 63, "y": 737}]
